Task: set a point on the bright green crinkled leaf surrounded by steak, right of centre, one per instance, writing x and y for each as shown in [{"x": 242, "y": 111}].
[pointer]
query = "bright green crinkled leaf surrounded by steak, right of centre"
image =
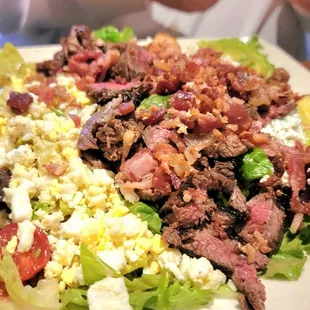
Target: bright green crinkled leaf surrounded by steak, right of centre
[{"x": 255, "y": 165}]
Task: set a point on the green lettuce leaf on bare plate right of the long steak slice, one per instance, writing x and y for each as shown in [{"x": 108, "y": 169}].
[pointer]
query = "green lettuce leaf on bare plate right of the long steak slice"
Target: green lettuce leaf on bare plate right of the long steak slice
[{"x": 289, "y": 261}]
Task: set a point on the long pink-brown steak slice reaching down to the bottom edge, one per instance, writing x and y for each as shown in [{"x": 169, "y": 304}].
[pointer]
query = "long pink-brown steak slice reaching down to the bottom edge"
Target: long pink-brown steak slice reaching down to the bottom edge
[{"x": 226, "y": 254}]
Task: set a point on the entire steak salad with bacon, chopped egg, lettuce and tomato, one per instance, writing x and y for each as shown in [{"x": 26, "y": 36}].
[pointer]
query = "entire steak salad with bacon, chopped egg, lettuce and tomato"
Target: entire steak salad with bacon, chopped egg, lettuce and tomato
[{"x": 140, "y": 177}]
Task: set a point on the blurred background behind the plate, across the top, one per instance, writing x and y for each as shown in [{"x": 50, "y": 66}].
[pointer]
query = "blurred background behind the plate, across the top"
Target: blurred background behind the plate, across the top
[{"x": 282, "y": 22}]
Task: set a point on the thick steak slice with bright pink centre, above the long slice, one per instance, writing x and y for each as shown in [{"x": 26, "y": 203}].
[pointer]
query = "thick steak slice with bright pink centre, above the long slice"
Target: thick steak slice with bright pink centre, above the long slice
[{"x": 266, "y": 219}]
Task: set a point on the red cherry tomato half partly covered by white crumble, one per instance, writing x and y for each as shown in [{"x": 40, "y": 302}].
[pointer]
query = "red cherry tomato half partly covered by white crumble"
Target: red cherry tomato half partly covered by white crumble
[{"x": 33, "y": 261}]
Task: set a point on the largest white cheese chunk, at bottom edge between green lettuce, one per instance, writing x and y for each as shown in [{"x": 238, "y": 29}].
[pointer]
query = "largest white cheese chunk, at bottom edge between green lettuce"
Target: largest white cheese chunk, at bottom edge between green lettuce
[{"x": 109, "y": 293}]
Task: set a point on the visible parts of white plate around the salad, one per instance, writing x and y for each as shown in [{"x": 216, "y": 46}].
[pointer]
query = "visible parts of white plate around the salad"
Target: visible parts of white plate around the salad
[{"x": 284, "y": 295}]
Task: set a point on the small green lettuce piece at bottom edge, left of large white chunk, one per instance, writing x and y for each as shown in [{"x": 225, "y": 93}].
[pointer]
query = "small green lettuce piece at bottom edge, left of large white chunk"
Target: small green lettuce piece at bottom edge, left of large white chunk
[{"x": 74, "y": 299}]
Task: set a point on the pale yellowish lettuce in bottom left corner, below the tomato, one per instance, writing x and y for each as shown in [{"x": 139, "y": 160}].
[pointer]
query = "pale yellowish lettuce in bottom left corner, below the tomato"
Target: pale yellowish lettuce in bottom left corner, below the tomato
[{"x": 43, "y": 296}]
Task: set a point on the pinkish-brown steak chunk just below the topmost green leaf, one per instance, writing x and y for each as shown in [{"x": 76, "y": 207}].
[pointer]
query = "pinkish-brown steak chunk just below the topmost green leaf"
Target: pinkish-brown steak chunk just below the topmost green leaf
[{"x": 134, "y": 63}]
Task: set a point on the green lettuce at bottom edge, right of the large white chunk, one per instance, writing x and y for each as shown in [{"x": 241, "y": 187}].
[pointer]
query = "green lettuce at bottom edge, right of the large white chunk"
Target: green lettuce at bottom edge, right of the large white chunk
[{"x": 158, "y": 292}]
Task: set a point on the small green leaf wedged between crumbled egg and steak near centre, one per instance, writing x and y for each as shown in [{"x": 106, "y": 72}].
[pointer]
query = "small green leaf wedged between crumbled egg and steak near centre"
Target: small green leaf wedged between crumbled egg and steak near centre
[{"x": 147, "y": 214}]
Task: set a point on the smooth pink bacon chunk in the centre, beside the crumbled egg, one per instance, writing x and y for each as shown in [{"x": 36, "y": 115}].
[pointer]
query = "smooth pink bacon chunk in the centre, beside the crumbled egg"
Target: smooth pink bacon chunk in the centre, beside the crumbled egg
[{"x": 138, "y": 166}]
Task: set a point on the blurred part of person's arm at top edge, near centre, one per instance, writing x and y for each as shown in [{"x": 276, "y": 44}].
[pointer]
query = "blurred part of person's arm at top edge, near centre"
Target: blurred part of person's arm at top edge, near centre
[{"x": 188, "y": 5}]
